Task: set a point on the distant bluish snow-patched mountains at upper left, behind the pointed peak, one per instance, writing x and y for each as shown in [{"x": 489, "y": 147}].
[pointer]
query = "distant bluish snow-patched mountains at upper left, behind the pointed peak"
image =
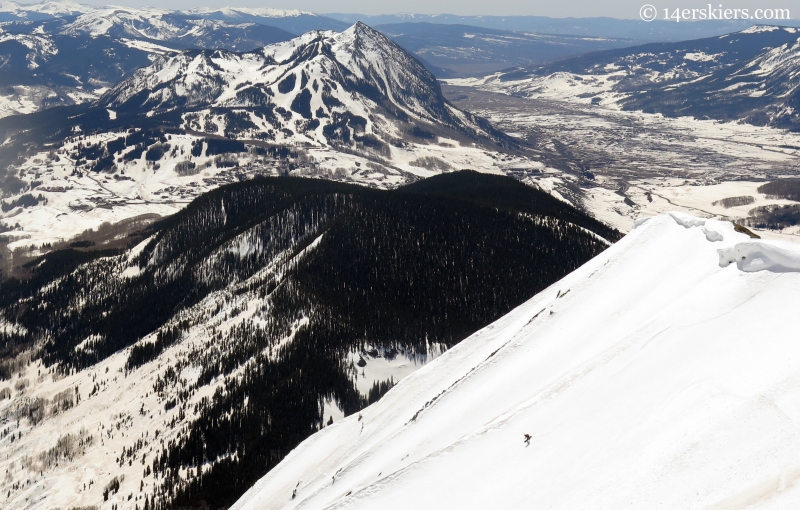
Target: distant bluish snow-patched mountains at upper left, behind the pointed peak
[{"x": 73, "y": 60}]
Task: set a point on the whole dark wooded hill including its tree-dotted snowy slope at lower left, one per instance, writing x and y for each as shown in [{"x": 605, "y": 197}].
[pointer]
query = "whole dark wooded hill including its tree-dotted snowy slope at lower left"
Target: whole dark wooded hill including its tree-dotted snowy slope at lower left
[{"x": 66, "y": 432}]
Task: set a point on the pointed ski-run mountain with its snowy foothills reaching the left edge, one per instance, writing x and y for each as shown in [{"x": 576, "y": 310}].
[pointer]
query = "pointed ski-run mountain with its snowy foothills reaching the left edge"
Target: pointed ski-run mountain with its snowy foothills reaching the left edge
[{"x": 349, "y": 106}]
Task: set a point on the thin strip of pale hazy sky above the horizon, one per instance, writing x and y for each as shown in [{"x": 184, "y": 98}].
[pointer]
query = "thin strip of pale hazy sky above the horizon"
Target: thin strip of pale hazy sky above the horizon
[{"x": 562, "y": 8}]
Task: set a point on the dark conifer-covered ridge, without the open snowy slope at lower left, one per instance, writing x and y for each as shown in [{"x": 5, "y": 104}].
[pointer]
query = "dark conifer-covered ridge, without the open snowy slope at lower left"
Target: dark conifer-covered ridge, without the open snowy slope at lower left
[{"x": 268, "y": 291}]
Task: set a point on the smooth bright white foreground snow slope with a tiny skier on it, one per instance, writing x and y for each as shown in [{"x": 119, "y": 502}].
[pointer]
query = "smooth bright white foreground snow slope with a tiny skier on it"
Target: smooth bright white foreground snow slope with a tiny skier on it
[{"x": 658, "y": 375}]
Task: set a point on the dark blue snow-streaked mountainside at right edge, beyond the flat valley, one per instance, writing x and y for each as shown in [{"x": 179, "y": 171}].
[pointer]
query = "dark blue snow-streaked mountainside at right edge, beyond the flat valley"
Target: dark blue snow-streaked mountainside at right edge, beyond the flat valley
[{"x": 749, "y": 76}]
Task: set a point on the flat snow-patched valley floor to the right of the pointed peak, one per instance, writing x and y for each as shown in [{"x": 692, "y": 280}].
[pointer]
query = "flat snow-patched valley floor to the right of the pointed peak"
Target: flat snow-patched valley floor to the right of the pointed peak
[{"x": 623, "y": 165}]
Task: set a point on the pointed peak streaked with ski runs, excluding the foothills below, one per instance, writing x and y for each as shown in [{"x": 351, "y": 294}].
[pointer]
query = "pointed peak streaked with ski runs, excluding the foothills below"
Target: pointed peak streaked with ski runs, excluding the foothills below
[{"x": 323, "y": 87}]
